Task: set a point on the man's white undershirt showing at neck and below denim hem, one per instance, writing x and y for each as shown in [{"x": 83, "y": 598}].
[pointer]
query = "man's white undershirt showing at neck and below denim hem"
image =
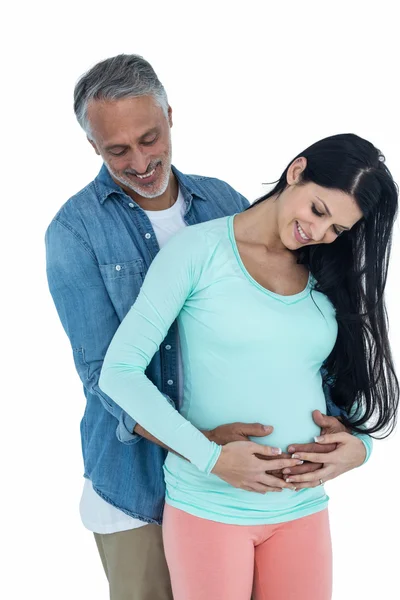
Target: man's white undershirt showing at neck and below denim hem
[{"x": 98, "y": 515}]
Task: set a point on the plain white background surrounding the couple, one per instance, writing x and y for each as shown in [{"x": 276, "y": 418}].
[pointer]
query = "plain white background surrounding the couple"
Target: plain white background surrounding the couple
[{"x": 251, "y": 84}]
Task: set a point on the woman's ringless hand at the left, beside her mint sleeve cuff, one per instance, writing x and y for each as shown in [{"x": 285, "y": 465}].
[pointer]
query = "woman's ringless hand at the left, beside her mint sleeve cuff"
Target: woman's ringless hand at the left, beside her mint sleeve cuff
[{"x": 239, "y": 466}]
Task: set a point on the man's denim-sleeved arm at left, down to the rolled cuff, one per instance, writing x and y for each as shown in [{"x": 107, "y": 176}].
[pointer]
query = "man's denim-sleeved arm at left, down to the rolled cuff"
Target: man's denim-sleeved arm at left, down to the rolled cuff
[{"x": 86, "y": 312}]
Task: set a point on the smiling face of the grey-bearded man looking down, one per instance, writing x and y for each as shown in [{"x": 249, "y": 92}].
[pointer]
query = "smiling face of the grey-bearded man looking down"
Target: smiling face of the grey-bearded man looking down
[{"x": 133, "y": 137}]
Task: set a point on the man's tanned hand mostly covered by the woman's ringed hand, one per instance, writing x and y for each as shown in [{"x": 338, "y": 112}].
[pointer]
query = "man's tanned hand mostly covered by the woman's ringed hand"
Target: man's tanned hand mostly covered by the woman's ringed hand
[{"x": 328, "y": 425}]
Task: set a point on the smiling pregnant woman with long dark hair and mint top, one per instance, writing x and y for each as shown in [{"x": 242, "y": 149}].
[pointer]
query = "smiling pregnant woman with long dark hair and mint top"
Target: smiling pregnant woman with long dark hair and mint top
[{"x": 264, "y": 300}]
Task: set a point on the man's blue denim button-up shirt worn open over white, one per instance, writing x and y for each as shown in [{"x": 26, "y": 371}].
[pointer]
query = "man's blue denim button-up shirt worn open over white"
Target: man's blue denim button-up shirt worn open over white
[{"x": 99, "y": 247}]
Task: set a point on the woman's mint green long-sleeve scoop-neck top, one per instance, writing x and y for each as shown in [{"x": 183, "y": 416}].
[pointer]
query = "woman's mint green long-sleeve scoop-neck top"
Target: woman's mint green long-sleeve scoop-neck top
[{"x": 249, "y": 355}]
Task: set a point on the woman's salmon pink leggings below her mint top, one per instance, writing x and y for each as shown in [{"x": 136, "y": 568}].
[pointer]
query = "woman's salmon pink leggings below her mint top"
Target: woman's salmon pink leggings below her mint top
[{"x": 214, "y": 561}]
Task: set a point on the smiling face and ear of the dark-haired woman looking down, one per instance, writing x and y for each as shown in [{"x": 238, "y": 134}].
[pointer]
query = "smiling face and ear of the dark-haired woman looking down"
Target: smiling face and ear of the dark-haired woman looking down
[{"x": 310, "y": 214}]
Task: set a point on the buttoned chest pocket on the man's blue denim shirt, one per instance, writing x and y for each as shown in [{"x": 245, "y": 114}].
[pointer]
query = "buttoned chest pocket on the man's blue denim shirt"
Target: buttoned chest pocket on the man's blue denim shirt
[{"x": 123, "y": 281}]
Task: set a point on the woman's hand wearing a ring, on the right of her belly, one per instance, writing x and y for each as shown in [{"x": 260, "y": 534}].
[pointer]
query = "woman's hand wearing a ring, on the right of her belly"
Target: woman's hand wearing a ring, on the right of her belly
[{"x": 350, "y": 453}]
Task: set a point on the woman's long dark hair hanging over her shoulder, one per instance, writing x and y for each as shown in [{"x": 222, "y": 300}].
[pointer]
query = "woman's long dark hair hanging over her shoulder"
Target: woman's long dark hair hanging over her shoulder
[{"x": 352, "y": 272}]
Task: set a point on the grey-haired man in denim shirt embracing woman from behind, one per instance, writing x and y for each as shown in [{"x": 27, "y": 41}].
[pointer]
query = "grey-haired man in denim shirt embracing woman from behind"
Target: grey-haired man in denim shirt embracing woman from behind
[{"x": 99, "y": 247}]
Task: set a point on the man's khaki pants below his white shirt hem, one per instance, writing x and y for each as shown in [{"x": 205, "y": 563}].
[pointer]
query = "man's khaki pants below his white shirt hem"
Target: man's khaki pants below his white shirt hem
[{"x": 134, "y": 563}]
